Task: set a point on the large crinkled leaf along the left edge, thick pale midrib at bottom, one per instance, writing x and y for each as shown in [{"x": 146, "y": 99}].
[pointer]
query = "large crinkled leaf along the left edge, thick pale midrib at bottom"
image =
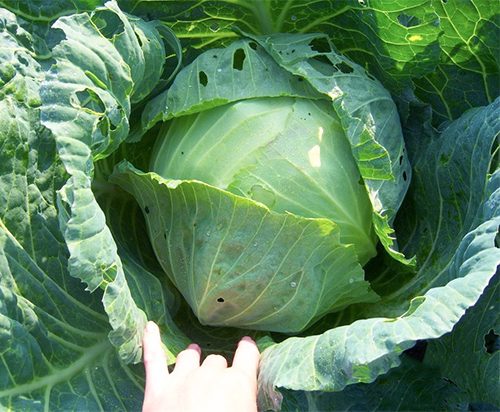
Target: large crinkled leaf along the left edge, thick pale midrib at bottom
[{"x": 55, "y": 350}]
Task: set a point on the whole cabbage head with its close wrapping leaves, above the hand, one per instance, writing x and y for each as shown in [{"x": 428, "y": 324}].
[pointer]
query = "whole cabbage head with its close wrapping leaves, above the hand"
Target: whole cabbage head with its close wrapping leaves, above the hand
[{"x": 264, "y": 201}]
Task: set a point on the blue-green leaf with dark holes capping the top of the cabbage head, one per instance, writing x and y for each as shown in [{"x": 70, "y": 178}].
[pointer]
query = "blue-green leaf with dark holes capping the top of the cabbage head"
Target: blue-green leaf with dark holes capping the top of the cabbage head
[{"x": 222, "y": 76}]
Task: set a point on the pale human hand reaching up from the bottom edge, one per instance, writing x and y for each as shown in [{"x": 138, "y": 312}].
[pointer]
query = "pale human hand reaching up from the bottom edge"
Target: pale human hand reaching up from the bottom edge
[{"x": 213, "y": 386}]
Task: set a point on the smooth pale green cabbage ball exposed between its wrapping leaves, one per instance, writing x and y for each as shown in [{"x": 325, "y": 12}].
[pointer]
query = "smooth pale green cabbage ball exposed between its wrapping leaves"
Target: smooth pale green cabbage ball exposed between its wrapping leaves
[{"x": 289, "y": 154}]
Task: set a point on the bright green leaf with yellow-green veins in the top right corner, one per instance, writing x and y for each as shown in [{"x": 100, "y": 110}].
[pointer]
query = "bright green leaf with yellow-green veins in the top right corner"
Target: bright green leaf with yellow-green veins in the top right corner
[{"x": 468, "y": 73}]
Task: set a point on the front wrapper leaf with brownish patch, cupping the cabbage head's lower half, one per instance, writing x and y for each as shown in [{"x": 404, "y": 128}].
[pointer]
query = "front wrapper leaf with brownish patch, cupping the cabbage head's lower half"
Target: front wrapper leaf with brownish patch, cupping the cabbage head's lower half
[{"x": 217, "y": 246}]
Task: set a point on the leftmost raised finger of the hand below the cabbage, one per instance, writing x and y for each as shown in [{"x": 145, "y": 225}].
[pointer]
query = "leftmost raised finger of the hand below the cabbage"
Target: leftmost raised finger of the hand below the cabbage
[{"x": 155, "y": 361}]
